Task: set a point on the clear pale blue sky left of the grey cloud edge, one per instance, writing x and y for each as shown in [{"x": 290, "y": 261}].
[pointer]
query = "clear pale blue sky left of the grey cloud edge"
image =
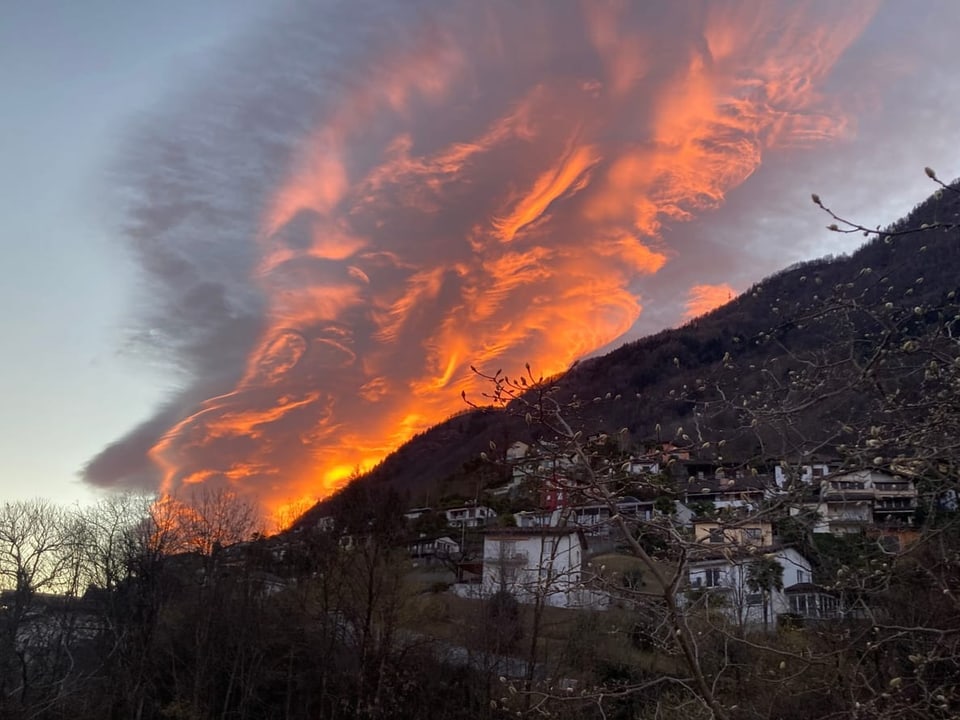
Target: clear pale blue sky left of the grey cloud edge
[{"x": 74, "y": 76}]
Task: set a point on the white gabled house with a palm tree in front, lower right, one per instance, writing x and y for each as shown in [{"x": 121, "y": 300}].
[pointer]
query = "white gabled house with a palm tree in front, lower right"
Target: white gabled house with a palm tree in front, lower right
[{"x": 720, "y": 581}]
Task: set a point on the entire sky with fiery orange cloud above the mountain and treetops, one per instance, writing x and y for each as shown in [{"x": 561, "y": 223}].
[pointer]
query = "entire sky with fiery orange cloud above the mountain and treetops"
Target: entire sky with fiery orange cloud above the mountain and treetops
[{"x": 258, "y": 244}]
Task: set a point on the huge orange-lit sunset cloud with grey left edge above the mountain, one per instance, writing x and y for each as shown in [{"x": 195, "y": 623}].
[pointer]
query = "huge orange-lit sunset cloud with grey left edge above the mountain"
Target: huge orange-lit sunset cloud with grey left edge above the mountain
[{"x": 473, "y": 183}]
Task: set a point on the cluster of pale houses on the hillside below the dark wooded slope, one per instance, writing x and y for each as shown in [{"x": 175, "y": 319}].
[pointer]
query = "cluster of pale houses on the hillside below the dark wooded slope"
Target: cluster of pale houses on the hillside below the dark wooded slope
[{"x": 725, "y": 517}]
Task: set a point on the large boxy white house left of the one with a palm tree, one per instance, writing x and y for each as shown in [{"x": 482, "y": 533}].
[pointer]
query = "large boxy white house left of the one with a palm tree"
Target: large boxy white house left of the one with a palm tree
[{"x": 532, "y": 563}]
